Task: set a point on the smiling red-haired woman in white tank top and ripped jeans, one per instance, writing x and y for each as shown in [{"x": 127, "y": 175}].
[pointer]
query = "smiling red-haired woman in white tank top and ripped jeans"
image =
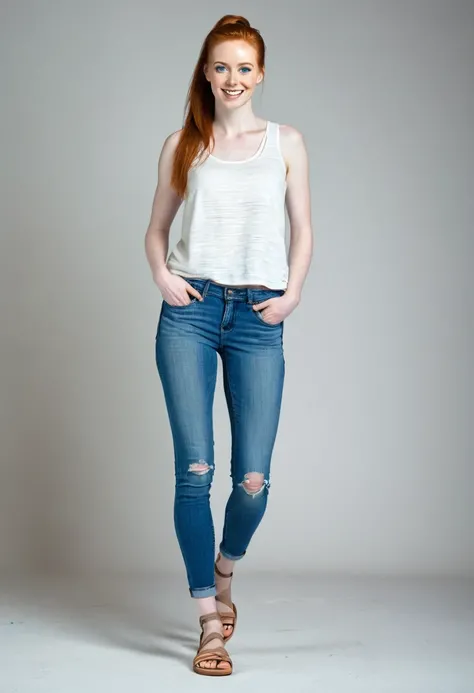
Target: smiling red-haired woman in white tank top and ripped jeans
[{"x": 227, "y": 288}]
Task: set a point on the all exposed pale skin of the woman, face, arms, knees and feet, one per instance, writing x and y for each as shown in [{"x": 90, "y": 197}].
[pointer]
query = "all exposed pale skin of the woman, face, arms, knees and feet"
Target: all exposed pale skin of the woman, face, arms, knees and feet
[{"x": 237, "y": 135}]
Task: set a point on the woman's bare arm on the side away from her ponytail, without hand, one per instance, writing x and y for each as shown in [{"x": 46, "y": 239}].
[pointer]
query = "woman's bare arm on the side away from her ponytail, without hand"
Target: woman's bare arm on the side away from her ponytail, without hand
[{"x": 298, "y": 203}]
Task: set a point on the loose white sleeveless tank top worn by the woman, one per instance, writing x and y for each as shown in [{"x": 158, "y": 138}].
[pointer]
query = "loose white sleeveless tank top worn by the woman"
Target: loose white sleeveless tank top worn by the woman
[{"x": 233, "y": 229}]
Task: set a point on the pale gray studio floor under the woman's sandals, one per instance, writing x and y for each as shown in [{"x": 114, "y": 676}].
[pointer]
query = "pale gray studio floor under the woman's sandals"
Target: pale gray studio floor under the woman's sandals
[{"x": 297, "y": 635}]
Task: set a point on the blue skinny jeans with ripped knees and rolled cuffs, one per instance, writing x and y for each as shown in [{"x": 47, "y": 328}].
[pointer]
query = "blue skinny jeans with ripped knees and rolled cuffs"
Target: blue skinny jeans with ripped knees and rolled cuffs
[{"x": 188, "y": 340}]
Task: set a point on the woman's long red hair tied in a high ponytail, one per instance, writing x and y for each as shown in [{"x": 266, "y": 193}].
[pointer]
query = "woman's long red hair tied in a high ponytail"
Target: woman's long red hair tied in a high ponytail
[{"x": 196, "y": 134}]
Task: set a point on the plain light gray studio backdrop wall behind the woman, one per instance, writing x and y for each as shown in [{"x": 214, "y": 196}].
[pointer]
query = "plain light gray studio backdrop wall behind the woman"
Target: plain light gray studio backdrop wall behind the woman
[{"x": 372, "y": 468}]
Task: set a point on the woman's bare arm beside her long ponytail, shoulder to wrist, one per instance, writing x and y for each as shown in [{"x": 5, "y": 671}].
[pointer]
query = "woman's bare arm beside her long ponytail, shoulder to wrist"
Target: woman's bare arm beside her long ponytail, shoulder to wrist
[{"x": 166, "y": 203}]
